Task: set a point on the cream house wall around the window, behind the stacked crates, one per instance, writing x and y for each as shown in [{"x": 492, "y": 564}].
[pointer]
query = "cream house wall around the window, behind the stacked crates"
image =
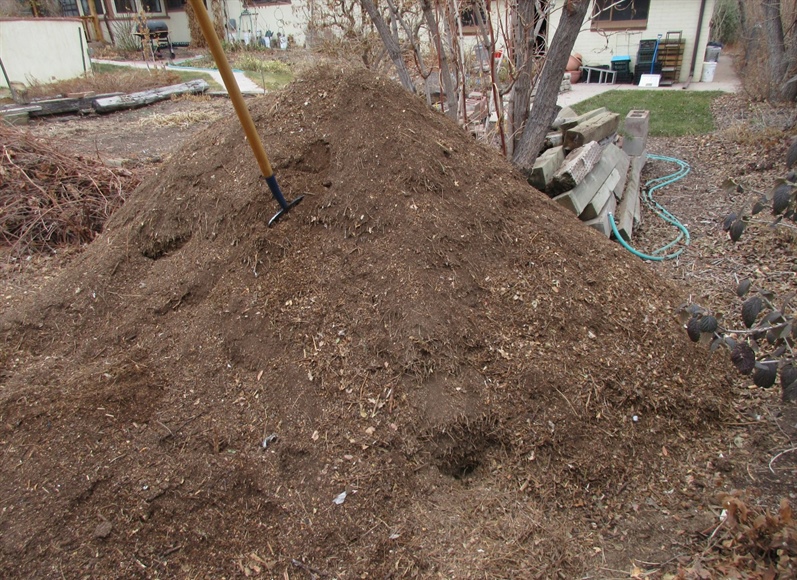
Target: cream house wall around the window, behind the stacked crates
[{"x": 597, "y": 48}]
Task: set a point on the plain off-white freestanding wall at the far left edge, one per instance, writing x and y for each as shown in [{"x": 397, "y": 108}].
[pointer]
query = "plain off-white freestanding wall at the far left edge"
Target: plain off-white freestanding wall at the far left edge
[{"x": 42, "y": 50}]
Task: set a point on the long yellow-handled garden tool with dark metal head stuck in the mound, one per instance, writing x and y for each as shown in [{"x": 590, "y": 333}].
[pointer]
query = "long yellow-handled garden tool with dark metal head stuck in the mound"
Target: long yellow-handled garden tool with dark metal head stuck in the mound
[{"x": 240, "y": 109}]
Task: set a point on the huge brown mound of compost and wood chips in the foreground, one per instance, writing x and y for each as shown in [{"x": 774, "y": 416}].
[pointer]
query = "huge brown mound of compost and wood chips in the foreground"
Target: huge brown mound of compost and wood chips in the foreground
[{"x": 427, "y": 367}]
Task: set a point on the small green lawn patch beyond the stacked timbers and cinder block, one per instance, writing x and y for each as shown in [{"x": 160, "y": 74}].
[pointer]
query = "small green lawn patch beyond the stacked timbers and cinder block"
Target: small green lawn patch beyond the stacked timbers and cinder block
[{"x": 672, "y": 113}]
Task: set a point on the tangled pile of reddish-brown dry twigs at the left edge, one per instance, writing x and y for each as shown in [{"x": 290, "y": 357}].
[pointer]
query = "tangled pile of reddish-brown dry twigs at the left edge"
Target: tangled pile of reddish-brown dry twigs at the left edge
[{"x": 49, "y": 198}]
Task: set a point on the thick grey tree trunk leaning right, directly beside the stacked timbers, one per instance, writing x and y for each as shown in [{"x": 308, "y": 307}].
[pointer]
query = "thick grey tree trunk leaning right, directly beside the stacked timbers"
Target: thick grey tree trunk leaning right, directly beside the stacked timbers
[{"x": 544, "y": 110}]
